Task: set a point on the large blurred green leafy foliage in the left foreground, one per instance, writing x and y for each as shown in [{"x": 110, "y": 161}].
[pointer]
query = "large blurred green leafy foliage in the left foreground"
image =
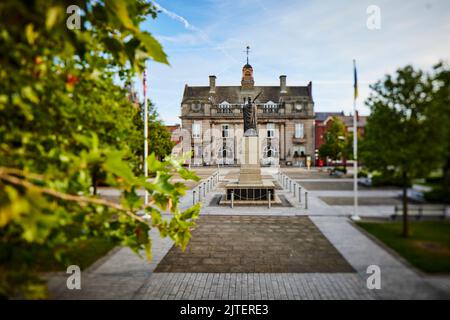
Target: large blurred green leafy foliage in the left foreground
[{"x": 64, "y": 119}]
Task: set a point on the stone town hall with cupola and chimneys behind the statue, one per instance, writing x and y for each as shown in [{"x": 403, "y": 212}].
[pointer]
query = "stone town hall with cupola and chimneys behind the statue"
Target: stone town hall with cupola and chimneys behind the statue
[{"x": 213, "y": 126}]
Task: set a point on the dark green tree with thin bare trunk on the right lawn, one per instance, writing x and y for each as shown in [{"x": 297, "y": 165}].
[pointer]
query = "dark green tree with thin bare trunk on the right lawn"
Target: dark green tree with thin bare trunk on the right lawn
[{"x": 400, "y": 136}]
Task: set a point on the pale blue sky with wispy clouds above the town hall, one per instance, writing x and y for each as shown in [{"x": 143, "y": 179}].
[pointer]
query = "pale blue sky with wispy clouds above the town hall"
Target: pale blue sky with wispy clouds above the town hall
[{"x": 305, "y": 40}]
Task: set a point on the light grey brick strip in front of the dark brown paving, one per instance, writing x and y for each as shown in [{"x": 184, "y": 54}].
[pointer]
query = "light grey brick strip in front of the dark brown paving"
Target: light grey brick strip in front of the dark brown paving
[{"x": 255, "y": 286}]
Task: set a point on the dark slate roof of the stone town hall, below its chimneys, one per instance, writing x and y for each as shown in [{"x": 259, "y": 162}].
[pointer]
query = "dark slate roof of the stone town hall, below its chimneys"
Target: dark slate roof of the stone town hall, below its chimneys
[{"x": 232, "y": 94}]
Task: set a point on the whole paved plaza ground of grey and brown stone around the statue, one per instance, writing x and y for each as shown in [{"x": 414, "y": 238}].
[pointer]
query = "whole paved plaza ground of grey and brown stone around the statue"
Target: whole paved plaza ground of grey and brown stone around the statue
[{"x": 260, "y": 253}]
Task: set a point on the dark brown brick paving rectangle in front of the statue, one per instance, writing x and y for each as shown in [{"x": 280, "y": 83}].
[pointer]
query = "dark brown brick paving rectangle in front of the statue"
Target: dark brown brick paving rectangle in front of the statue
[{"x": 271, "y": 244}]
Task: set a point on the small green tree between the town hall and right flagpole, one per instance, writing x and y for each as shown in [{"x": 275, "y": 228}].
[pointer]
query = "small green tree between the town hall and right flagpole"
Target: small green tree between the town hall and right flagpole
[{"x": 334, "y": 146}]
